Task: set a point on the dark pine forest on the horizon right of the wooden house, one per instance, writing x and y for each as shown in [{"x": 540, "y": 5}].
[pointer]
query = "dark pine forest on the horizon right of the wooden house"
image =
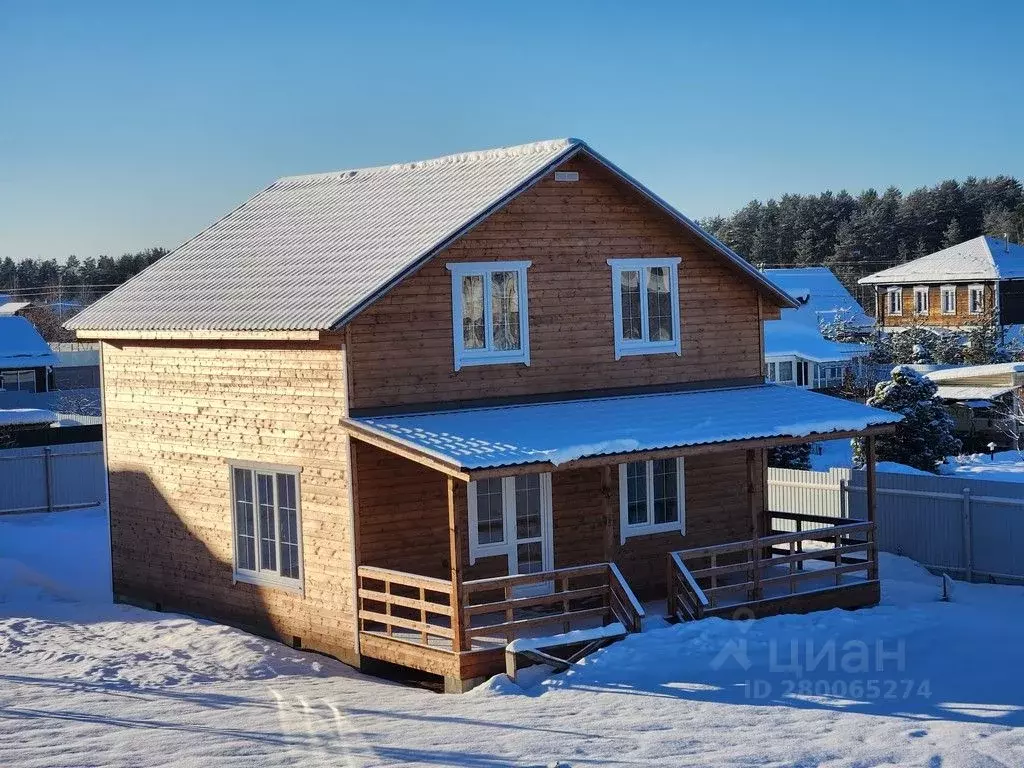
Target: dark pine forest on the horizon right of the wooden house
[{"x": 858, "y": 236}]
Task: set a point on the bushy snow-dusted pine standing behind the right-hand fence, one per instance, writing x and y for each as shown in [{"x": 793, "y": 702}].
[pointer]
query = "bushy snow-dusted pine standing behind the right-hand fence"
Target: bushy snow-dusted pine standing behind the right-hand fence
[{"x": 925, "y": 438}]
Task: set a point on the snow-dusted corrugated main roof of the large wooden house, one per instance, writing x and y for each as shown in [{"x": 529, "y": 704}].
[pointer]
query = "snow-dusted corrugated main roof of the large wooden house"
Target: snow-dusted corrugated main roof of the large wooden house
[{"x": 310, "y": 252}]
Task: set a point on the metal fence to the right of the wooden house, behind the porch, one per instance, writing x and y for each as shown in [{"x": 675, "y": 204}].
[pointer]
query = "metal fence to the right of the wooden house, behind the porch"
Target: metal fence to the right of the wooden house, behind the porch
[{"x": 971, "y": 529}]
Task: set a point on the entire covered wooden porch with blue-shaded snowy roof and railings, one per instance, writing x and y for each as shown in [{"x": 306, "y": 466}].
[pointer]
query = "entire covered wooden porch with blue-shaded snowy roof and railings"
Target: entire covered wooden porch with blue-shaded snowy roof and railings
[{"x": 470, "y": 539}]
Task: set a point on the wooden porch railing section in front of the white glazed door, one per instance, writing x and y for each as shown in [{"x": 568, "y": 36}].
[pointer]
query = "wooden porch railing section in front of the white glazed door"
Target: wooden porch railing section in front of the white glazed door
[{"x": 498, "y": 608}]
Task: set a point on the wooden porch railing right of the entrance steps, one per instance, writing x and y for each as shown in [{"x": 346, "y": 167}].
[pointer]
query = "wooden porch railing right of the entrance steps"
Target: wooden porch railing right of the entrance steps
[{"x": 707, "y": 579}]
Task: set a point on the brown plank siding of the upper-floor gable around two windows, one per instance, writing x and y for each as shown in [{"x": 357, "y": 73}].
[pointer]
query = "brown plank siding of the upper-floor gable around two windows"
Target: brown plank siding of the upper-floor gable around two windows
[{"x": 401, "y": 349}]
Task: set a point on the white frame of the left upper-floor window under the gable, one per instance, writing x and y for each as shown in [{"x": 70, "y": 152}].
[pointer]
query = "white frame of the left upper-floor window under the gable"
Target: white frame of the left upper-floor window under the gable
[{"x": 488, "y": 356}]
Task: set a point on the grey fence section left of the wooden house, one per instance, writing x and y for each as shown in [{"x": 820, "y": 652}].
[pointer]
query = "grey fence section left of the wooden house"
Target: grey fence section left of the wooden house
[{"x": 45, "y": 480}]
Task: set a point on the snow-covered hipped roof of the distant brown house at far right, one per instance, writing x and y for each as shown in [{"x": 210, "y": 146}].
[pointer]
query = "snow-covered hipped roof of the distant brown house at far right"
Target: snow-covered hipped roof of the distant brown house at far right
[{"x": 984, "y": 259}]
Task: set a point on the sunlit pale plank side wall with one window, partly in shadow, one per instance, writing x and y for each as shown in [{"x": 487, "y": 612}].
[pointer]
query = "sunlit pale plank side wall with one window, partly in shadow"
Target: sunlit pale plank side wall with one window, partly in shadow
[{"x": 176, "y": 415}]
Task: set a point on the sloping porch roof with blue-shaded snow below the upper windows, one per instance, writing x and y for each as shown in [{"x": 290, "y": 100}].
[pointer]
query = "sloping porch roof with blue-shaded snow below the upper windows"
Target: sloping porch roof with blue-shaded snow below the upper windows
[{"x": 544, "y": 437}]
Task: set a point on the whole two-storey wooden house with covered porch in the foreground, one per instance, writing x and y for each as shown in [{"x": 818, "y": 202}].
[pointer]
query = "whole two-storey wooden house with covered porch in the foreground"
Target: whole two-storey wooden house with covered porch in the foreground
[{"x": 413, "y": 413}]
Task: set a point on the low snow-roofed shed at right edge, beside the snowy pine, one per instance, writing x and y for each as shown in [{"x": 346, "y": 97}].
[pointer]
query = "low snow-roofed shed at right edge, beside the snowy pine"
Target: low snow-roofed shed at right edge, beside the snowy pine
[{"x": 988, "y": 402}]
